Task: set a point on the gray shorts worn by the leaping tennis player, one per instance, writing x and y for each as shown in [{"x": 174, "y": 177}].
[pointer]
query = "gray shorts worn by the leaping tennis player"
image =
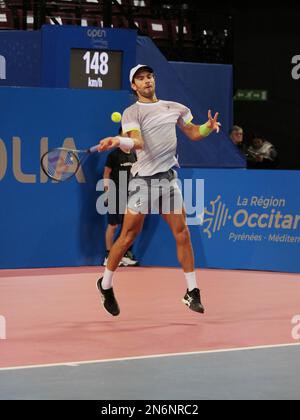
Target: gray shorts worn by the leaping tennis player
[{"x": 157, "y": 194}]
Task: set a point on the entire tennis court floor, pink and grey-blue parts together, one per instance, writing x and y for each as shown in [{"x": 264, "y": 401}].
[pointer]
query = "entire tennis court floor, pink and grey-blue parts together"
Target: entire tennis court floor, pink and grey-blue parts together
[{"x": 61, "y": 344}]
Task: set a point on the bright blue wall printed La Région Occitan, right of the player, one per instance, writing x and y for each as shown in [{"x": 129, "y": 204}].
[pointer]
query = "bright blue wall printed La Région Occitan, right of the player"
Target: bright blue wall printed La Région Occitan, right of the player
[{"x": 251, "y": 221}]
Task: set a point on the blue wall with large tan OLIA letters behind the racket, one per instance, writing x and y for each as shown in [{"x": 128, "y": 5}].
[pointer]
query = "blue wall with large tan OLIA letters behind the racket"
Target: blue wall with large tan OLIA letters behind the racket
[{"x": 44, "y": 224}]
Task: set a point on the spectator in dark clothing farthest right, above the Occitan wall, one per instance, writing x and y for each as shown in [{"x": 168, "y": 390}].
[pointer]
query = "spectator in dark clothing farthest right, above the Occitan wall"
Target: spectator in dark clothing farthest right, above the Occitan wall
[{"x": 261, "y": 154}]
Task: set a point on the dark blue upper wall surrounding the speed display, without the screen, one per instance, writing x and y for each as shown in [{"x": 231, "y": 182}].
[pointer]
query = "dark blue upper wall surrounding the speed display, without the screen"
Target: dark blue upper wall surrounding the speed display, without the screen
[{"x": 42, "y": 58}]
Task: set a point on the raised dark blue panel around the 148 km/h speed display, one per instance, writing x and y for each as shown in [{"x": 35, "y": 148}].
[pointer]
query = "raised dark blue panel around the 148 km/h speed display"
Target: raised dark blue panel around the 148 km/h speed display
[{"x": 59, "y": 61}]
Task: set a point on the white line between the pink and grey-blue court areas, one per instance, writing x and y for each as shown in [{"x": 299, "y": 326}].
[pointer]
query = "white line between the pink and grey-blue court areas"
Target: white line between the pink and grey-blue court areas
[{"x": 153, "y": 356}]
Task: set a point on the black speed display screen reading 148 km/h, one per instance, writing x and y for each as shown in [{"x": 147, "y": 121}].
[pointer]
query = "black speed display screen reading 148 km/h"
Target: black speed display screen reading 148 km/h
[{"x": 96, "y": 69}]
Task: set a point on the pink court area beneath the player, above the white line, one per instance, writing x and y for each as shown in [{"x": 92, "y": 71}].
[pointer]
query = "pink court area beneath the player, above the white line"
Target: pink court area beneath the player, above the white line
[{"x": 55, "y": 315}]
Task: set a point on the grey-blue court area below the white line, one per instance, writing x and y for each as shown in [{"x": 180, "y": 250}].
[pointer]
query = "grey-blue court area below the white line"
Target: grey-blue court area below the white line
[{"x": 256, "y": 374}]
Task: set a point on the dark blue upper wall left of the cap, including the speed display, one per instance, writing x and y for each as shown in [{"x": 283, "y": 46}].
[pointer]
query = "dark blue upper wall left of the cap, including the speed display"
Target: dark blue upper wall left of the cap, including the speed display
[{"x": 68, "y": 57}]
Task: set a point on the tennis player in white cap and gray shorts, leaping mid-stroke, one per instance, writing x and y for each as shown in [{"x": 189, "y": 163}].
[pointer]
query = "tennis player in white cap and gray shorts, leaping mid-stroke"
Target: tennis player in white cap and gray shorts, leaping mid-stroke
[{"x": 151, "y": 128}]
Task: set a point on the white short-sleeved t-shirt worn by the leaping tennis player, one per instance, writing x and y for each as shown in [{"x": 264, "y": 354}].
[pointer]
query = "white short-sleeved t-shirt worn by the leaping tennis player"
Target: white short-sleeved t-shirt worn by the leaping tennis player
[{"x": 157, "y": 123}]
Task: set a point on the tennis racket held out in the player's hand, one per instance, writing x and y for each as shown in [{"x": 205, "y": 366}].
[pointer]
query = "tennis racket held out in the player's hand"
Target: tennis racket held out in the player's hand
[{"x": 61, "y": 164}]
